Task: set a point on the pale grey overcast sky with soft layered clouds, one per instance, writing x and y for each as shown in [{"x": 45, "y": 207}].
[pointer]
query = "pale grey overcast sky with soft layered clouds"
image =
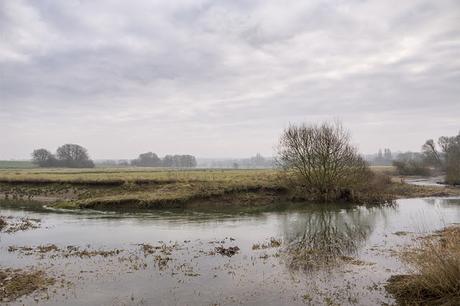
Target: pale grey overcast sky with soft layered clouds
[{"x": 223, "y": 78}]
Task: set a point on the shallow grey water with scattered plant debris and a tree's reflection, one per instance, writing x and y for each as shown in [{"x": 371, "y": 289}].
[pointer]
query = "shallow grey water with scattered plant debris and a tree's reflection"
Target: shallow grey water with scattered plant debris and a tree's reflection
[{"x": 283, "y": 255}]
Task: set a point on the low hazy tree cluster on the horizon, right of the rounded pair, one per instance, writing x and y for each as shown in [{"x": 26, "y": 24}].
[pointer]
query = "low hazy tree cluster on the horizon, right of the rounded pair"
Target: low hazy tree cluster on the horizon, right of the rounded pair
[{"x": 151, "y": 159}]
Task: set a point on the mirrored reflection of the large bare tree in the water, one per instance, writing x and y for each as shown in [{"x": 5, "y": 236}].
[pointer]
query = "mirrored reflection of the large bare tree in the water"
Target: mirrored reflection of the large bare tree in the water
[{"x": 322, "y": 236}]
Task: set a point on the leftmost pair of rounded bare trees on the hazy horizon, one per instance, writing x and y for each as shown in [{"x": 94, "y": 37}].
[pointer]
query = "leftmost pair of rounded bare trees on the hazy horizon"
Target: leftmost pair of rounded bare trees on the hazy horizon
[{"x": 68, "y": 155}]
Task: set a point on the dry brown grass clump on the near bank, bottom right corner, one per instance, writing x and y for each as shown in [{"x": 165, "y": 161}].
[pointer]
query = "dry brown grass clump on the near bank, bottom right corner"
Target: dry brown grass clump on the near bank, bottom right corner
[{"x": 435, "y": 266}]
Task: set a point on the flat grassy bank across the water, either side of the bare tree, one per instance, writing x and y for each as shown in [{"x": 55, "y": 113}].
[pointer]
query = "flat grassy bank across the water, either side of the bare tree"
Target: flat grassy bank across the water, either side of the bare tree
[{"x": 147, "y": 188}]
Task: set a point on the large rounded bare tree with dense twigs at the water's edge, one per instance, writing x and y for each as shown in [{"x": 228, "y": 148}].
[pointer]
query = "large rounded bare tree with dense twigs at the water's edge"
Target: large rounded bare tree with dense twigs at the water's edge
[{"x": 321, "y": 158}]
